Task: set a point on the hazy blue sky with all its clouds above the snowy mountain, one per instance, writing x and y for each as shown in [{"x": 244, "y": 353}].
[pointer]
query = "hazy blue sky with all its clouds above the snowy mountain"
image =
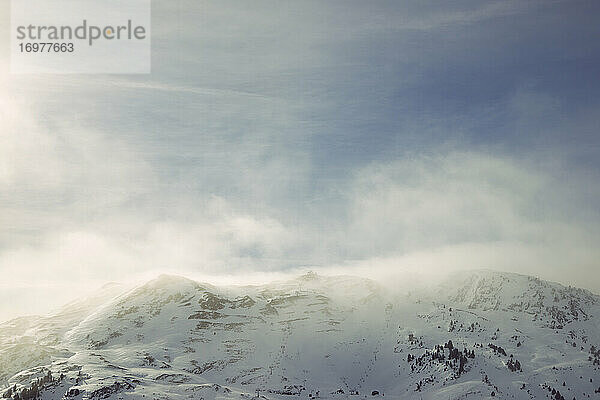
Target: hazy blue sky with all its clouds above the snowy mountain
[{"x": 374, "y": 138}]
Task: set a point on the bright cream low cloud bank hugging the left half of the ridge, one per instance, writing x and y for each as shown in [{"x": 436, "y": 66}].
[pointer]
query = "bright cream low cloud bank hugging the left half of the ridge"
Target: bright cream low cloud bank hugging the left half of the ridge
[{"x": 67, "y": 261}]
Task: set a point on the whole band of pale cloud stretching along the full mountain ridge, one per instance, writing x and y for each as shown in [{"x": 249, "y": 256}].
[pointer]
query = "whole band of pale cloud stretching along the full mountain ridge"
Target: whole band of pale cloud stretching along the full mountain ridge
[{"x": 419, "y": 217}]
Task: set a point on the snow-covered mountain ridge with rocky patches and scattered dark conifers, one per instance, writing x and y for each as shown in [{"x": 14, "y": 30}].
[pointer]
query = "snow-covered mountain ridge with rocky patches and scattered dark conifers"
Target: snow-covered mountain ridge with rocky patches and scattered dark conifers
[{"x": 477, "y": 335}]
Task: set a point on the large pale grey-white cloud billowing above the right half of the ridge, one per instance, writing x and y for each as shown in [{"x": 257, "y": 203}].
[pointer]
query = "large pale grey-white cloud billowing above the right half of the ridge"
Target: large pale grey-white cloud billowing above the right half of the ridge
[{"x": 451, "y": 210}]
